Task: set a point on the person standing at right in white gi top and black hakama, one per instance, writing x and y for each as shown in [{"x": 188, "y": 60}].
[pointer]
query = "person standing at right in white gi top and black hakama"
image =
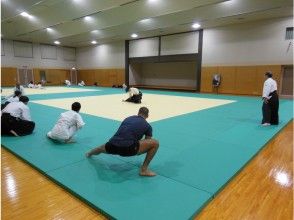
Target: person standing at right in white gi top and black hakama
[{"x": 270, "y": 107}]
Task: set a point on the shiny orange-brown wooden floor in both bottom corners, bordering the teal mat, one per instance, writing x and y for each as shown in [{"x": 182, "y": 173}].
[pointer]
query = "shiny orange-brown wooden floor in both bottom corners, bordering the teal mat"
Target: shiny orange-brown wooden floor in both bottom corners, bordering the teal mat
[{"x": 263, "y": 190}]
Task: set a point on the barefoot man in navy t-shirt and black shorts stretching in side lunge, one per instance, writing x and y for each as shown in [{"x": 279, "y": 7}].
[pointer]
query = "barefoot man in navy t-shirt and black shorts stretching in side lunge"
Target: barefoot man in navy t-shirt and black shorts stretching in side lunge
[{"x": 127, "y": 141}]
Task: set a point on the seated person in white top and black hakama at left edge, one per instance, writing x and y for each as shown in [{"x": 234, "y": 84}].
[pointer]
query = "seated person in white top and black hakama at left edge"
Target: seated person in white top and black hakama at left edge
[{"x": 16, "y": 119}]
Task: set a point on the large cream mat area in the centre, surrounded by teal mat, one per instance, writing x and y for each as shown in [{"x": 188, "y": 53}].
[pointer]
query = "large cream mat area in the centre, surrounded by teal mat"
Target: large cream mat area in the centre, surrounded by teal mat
[{"x": 160, "y": 106}]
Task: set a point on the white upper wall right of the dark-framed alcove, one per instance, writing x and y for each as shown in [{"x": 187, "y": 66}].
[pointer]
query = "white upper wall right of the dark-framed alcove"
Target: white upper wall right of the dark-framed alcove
[{"x": 254, "y": 43}]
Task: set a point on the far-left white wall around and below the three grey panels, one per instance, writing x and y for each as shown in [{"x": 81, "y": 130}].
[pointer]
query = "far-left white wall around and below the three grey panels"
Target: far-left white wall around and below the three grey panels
[{"x": 9, "y": 60}]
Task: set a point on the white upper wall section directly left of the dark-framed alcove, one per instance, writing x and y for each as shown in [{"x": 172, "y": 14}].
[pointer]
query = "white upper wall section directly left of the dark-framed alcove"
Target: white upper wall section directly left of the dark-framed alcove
[{"x": 102, "y": 56}]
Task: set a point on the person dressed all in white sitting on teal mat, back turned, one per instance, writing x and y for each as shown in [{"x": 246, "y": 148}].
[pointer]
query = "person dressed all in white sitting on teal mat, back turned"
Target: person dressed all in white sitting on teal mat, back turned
[{"x": 67, "y": 125}]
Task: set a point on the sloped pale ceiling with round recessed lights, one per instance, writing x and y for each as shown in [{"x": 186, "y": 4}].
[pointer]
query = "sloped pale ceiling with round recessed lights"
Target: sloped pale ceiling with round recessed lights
[{"x": 115, "y": 20}]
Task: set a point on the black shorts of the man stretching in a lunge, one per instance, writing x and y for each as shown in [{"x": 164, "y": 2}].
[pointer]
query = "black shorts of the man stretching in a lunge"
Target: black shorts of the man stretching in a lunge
[{"x": 122, "y": 151}]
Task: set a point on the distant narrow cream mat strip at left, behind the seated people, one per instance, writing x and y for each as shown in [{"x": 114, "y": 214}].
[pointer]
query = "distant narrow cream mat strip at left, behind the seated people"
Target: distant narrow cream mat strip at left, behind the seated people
[{"x": 46, "y": 90}]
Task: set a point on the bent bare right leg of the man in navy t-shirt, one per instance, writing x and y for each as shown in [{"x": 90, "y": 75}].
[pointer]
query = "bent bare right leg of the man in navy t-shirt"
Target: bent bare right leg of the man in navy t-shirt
[{"x": 150, "y": 147}]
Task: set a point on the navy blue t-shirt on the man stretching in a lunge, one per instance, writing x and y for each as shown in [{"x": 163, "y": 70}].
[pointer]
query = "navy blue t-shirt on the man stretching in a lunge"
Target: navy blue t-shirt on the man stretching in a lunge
[{"x": 131, "y": 130}]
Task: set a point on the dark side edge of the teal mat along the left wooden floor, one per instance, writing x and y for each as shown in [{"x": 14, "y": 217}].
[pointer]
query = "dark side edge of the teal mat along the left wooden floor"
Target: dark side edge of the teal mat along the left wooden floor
[{"x": 60, "y": 184}]
